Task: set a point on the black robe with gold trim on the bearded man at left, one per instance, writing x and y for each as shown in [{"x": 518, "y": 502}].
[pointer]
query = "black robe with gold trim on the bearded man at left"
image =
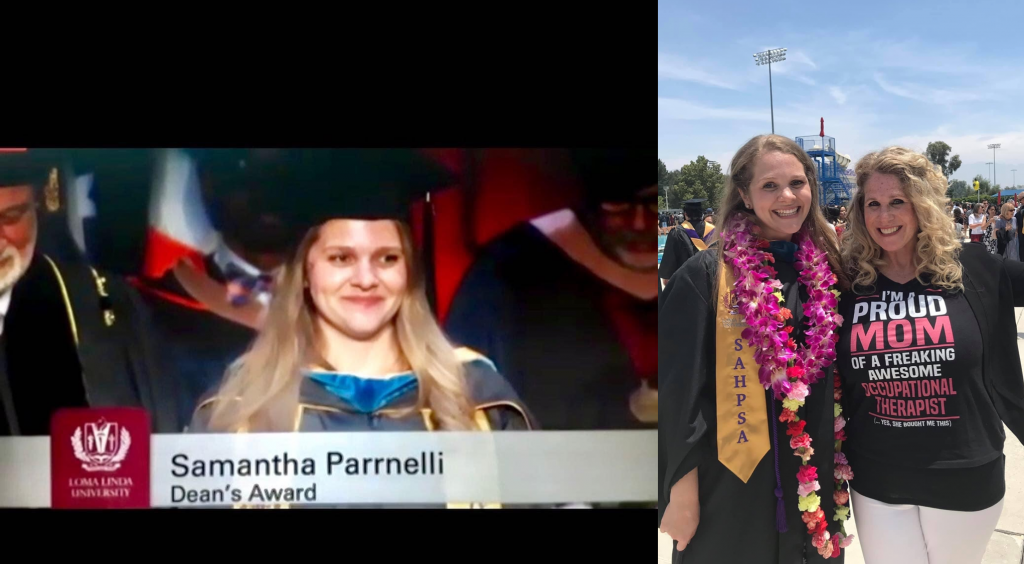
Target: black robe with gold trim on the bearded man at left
[{"x": 77, "y": 338}]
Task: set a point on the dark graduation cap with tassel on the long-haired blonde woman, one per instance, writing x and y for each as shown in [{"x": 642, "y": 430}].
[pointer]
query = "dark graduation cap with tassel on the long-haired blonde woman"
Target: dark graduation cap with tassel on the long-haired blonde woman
[{"x": 311, "y": 187}]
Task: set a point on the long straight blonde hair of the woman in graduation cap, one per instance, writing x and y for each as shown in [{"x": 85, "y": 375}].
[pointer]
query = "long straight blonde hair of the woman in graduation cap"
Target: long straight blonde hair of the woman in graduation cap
[{"x": 261, "y": 391}]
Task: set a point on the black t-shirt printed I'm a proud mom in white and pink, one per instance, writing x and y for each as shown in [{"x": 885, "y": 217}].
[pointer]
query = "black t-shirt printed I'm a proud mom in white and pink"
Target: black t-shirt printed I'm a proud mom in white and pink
[{"x": 920, "y": 420}]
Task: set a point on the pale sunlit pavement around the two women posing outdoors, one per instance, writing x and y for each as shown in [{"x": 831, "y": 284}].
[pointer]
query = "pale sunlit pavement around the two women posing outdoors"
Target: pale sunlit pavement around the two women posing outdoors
[{"x": 1007, "y": 545}]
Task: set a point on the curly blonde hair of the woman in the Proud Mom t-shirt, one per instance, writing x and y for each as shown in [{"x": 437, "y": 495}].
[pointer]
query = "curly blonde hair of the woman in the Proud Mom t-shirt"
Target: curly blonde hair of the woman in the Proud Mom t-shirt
[{"x": 937, "y": 249}]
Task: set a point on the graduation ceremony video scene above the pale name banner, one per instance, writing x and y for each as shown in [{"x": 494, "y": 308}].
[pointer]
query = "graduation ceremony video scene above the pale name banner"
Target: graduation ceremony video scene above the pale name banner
[{"x": 330, "y": 290}]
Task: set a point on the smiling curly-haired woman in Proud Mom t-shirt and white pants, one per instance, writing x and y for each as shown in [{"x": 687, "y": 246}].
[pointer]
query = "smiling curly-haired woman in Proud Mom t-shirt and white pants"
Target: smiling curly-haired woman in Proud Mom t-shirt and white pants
[{"x": 927, "y": 380}]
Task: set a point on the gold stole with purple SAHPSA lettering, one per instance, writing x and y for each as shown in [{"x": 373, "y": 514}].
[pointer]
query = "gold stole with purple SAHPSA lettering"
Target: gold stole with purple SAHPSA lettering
[{"x": 743, "y": 417}]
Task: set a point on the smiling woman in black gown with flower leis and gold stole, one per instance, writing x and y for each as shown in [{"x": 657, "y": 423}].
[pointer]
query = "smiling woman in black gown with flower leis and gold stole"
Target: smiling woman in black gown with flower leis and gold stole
[{"x": 749, "y": 474}]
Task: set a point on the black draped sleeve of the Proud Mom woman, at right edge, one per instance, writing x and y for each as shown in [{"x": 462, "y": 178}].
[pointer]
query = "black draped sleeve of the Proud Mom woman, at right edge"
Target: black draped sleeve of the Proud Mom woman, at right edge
[{"x": 1006, "y": 386}]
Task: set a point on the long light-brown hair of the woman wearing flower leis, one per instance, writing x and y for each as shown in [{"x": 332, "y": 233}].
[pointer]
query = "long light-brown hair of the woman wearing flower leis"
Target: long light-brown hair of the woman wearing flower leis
[{"x": 741, "y": 177}]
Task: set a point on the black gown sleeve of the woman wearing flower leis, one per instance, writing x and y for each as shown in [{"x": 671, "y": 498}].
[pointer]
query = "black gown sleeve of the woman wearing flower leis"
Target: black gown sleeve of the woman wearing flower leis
[{"x": 686, "y": 343}]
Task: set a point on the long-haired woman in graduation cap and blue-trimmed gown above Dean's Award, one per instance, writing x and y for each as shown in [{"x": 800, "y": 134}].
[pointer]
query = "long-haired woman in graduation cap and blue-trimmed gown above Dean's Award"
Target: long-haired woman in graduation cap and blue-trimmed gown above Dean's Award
[{"x": 350, "y": 342}]
